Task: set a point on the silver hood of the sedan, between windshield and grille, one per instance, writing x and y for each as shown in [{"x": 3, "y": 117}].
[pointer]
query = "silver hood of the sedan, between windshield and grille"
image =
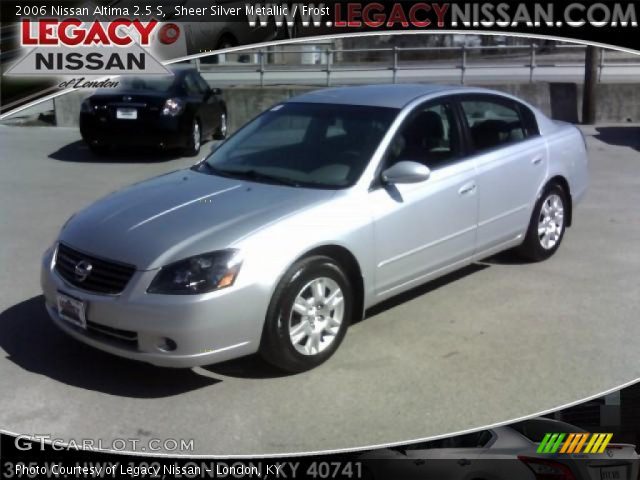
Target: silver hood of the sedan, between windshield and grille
[{"x": 180, "y": 214}]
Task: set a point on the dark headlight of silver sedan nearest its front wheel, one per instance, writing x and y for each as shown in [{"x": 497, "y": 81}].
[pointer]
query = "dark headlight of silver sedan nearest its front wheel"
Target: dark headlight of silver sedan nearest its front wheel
[{"x": 200, "y": 274}]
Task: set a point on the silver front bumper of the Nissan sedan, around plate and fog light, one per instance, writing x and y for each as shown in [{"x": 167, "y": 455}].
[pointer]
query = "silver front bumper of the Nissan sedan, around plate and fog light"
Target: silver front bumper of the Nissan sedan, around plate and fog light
[{"x": 206, "y": 328}]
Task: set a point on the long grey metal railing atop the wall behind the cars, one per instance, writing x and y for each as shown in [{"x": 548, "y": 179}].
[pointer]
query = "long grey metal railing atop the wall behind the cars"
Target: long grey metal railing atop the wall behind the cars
[{"x": 462, "y": 58}]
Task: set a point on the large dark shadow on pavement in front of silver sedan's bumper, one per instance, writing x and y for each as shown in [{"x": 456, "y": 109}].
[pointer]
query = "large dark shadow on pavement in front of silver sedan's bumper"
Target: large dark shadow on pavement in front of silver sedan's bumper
[{"x": 35, "y": 344}]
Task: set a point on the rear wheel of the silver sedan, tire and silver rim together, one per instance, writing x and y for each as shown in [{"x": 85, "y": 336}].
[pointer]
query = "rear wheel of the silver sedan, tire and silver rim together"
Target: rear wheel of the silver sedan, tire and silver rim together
[{"x": 547, "y": 225}]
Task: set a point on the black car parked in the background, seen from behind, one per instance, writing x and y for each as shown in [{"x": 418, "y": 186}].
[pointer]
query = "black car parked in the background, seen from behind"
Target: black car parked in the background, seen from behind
[{"x": 178, "y": 111}]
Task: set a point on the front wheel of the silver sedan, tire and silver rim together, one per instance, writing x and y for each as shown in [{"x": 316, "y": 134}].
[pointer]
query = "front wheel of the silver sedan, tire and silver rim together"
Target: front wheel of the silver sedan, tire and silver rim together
[{"x": 308, "y": 316}]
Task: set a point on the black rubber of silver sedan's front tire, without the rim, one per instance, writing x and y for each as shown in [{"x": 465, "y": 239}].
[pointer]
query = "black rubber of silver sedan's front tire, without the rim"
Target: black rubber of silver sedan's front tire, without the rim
[{"x": 276, "y": 346}]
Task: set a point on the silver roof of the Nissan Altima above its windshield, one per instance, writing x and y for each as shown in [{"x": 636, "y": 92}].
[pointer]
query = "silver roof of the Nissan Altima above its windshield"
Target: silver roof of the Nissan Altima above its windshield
[{"x": 391, "y": 95}]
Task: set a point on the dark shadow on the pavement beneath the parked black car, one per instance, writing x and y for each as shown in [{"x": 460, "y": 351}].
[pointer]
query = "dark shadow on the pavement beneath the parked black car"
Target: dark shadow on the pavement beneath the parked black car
[{"x": 79, "y": 152}]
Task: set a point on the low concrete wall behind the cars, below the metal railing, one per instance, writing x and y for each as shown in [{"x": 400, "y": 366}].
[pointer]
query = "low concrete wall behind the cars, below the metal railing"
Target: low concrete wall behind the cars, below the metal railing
[{"x": 618, "y": 103}]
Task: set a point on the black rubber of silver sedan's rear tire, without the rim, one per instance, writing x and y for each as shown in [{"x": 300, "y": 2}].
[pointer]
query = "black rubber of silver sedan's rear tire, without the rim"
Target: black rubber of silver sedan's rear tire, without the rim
[{"x": 533, "y": 248}]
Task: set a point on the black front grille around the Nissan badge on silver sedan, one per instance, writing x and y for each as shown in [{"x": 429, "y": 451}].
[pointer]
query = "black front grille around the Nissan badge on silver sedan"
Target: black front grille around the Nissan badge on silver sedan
[{"x": 105, "y": 277}]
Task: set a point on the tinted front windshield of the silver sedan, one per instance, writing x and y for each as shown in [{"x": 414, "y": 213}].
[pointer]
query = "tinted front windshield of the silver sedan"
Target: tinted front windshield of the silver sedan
[{"x": 304, "y": 144}]
